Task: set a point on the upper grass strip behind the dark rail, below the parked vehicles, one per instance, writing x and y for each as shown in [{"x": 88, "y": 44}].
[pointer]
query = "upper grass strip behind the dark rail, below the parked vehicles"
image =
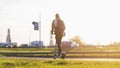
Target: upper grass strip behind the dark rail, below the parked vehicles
[{"x": 78, "y": 49}]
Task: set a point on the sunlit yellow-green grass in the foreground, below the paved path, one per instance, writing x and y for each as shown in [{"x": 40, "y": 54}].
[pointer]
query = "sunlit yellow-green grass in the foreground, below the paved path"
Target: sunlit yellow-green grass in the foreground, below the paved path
[{"x": 35, "y": 63}]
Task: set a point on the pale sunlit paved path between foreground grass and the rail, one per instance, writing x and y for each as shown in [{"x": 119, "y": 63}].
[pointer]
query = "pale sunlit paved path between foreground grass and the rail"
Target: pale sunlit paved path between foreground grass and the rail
[{"x": 83, "y": 59}]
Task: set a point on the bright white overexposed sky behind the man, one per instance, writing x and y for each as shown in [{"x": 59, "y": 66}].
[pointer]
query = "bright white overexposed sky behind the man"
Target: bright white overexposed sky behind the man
[{"x": 95, "y": 21}]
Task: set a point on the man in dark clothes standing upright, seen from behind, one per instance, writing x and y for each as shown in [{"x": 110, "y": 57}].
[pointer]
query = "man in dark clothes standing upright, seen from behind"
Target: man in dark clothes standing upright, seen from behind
[{"x": 58, "y": 28}]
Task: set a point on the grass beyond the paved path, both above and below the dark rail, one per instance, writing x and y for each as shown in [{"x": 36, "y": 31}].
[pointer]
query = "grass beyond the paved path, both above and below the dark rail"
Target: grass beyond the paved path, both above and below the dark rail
[{"x": 79, "y": 49}]
